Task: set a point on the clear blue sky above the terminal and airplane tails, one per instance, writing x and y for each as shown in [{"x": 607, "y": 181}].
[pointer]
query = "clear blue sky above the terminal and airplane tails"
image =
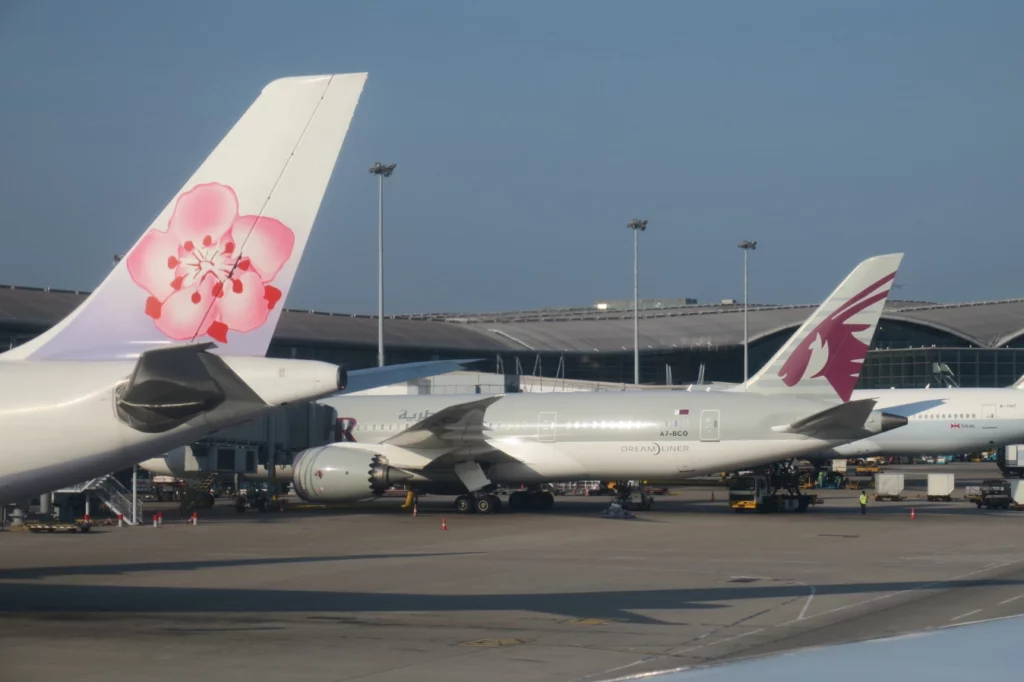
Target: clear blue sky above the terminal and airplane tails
[{"x": 528, "y": 135}]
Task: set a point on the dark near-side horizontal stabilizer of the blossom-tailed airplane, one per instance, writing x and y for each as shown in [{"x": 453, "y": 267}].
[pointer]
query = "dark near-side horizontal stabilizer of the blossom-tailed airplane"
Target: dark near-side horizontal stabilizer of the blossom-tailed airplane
[{"x": 170, "y": 387}]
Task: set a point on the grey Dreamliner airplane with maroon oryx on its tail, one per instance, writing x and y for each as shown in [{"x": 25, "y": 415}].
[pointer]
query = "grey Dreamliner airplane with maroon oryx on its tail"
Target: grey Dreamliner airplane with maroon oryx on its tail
[{"x": 454, "y": 445}]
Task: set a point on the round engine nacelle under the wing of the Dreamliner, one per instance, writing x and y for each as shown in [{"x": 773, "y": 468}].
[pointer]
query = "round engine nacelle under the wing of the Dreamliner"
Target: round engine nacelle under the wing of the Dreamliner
[{"x": 332, "y": 474}]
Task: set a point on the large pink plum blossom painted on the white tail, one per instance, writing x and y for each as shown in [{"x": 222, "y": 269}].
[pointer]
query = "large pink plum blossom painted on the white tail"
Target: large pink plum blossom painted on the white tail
[{"x": 199, "y": 281}]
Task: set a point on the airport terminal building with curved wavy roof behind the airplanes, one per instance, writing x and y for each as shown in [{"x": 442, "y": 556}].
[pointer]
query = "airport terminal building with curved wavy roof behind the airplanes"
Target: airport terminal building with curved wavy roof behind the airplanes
[{"x": 917, "y": 345}]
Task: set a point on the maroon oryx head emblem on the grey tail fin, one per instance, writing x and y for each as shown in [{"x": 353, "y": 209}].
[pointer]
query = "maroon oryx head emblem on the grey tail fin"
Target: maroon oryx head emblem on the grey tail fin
[{"x": 832, "y": 350}]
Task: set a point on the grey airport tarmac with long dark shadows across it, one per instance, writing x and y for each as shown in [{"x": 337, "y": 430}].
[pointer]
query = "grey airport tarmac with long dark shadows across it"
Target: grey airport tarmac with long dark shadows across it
[{"x": 375, "y": 594}]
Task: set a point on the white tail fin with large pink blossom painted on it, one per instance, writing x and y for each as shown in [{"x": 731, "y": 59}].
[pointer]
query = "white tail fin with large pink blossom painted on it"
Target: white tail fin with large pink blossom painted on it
[{"x": 218, "y": 263}]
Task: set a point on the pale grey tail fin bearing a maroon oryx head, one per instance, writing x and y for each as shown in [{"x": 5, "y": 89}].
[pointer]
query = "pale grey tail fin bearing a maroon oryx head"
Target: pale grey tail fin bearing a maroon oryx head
[{"x": 827, "y": 354}]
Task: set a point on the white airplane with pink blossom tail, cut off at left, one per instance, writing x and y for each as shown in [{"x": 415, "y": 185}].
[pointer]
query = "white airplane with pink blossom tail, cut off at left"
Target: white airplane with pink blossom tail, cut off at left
[{"x": 172, "y": 346}]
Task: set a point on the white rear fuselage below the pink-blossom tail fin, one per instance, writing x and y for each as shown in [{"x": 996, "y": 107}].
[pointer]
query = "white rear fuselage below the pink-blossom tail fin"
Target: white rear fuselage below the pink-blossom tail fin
[{"x": 61, "y": 427}]
